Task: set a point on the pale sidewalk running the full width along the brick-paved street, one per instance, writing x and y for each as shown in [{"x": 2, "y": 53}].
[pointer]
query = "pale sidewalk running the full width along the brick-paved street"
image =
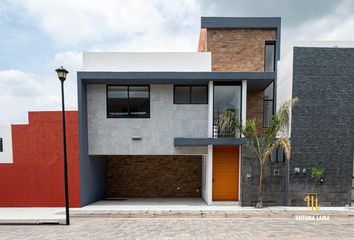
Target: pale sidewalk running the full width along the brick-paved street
[{"x": 109, "y": 209}]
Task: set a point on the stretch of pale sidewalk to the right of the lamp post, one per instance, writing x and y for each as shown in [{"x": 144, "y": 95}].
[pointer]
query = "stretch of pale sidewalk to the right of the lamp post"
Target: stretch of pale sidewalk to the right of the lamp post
[{"x": 195, "y": 208}]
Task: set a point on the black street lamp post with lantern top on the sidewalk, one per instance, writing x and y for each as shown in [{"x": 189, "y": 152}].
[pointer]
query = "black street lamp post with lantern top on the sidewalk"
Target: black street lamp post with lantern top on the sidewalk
[{"x": 62, "y": 72}]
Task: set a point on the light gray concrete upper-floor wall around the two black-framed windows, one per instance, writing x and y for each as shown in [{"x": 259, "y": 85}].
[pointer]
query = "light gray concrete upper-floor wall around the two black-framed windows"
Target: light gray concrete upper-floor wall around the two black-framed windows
[{"x": 113, "y": 136}]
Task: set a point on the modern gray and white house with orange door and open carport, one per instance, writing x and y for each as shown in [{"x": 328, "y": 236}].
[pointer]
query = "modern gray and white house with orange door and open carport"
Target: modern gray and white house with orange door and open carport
[{"x": 148, "y": 121}]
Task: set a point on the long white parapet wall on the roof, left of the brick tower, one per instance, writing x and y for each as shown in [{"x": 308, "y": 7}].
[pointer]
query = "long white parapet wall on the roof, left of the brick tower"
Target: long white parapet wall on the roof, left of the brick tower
[{"x": 163, "y": 61}]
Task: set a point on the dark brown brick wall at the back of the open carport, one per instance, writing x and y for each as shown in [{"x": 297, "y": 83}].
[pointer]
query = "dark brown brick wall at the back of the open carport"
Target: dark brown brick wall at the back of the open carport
[{"x": 154, "y": 176}]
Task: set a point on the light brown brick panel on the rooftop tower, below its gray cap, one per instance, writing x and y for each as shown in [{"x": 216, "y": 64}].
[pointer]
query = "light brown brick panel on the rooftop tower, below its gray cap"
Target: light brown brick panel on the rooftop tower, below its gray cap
[{"x": 238, "y": 50}]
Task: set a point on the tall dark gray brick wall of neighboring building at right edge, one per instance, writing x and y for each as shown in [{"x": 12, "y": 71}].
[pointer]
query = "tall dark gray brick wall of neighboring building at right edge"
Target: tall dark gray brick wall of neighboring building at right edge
[{"x": 323, "y": 124}]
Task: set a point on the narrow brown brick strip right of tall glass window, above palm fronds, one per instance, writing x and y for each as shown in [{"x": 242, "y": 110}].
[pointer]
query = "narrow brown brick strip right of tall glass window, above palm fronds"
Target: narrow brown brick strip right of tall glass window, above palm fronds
[{"x": 255, "y": 108}]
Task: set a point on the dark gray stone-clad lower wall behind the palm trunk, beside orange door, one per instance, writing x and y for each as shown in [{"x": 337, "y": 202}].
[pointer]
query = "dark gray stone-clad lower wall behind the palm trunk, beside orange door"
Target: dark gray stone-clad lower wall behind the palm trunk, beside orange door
[{"x": 274, "y": 185}]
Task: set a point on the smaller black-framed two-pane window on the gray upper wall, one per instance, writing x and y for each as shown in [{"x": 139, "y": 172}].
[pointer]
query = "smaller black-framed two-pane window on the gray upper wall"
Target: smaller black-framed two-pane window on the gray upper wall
[{"x": 186, "y": 94}]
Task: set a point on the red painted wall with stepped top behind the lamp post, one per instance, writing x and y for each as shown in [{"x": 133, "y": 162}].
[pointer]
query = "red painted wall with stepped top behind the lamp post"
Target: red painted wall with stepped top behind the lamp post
[{"x": 36, "y": 177}]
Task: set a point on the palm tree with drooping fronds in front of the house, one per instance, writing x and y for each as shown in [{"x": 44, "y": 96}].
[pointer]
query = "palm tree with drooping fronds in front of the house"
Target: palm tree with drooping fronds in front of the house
[{"x": 262, "y": 144}]
